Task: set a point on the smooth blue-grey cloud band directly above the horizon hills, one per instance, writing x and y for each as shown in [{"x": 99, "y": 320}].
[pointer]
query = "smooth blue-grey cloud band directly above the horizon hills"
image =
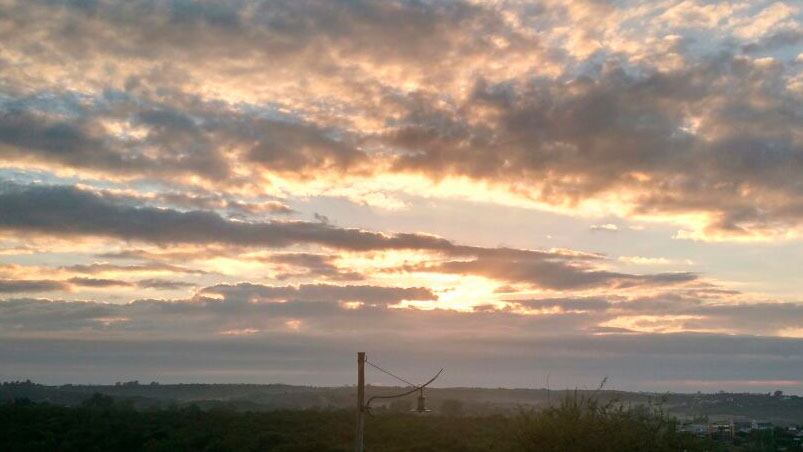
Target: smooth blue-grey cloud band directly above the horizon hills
[{"x": 571, "y": 362}]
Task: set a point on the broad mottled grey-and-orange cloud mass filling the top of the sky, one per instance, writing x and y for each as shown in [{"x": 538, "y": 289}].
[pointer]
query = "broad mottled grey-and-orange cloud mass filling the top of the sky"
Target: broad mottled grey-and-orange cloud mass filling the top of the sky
[{"x": 633, "y": 116}]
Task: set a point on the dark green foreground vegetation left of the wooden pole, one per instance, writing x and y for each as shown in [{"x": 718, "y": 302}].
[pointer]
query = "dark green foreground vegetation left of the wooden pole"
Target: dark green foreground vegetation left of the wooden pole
[{"x": 101, "y": 424}]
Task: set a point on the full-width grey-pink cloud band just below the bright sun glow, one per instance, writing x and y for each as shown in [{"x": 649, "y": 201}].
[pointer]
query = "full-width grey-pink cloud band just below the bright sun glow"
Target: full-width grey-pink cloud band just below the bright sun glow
[{"x": 332, "y": 310}]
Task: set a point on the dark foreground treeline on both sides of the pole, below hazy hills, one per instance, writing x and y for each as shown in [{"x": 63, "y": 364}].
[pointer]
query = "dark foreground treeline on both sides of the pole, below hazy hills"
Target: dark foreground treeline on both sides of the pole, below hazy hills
[{"x": 102, "y": 423}]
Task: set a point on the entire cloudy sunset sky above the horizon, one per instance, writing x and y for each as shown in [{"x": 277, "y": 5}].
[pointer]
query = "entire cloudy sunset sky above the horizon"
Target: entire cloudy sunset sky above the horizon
[{"x": 521, "y": 192}]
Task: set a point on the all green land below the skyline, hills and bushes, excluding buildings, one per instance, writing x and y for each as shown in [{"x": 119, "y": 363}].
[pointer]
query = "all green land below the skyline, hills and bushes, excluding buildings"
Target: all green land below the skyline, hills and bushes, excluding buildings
[{"x": 192, "y": 417}]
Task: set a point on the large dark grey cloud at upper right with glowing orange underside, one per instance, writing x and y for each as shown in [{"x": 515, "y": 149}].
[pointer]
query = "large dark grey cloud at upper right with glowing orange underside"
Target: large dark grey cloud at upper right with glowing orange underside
[{"x": 627, "y": 134}]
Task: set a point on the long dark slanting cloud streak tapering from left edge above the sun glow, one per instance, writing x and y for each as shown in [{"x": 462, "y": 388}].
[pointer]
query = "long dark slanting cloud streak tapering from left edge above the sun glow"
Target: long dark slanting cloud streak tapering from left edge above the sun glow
[{"x": 67, "y": 211}]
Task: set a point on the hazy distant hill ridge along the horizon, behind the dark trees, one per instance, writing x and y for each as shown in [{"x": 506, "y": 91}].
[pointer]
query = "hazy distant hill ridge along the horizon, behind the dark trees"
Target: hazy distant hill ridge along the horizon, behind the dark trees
[{"x": 777, "y": 408}]
